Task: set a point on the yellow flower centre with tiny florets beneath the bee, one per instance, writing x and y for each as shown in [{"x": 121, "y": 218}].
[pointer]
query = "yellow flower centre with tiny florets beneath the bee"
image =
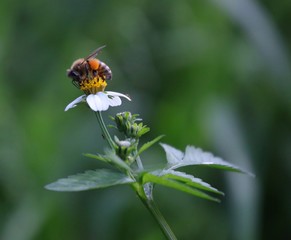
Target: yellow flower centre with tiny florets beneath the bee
[{"x": 92, "y": 86}]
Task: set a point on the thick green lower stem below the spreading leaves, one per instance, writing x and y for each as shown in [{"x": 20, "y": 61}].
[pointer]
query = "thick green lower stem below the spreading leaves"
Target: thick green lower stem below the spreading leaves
[{"x": 150, "y": 204}]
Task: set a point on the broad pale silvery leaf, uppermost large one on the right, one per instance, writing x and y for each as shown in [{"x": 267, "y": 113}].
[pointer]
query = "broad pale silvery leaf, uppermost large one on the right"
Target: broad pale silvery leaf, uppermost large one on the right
[{"x": 195, "y": 156}]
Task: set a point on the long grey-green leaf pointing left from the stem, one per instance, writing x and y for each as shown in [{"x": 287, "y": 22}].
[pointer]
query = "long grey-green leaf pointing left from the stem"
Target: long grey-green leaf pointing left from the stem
[{"x": 99, "y": 178}]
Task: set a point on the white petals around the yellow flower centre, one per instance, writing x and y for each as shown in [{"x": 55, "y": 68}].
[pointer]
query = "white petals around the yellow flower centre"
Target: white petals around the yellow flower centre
[{"x": 100, "y": 101}]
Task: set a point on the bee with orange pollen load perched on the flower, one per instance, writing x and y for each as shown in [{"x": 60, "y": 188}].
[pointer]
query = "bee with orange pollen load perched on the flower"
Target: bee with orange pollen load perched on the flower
[{"x": 88, "y": 68}]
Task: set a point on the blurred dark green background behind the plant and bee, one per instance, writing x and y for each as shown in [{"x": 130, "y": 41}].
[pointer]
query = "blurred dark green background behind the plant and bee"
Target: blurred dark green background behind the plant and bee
[{"x": 214, "y": 74}]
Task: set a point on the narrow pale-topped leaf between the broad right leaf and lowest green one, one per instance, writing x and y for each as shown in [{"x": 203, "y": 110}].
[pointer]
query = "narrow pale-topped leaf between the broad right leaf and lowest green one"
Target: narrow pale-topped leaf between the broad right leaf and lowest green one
[{"x": 187, "y": 179}]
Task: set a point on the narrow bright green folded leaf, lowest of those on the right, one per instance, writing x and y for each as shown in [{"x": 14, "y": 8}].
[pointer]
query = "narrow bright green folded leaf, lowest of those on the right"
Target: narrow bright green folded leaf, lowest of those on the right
[{"x": 163, "y": 180}]
